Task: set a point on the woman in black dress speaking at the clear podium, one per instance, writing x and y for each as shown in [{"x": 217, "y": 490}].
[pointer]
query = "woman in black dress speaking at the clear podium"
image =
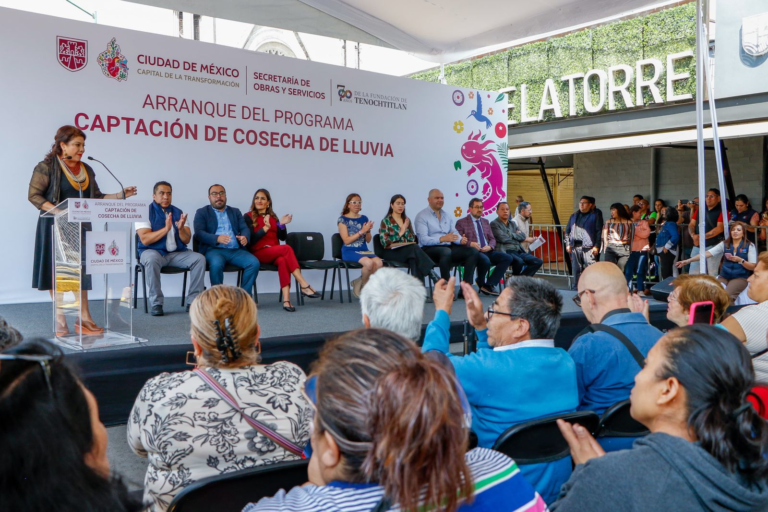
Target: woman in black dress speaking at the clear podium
[{"x": 60, "y": 176}]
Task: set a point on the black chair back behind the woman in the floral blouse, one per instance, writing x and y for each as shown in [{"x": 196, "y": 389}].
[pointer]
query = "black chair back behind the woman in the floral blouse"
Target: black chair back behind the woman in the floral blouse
[{"x": 231, "y": 492}]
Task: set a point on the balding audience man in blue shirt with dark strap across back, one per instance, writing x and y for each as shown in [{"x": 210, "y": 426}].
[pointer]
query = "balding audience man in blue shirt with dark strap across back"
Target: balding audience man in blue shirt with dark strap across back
[{"x": 605, "y": 367}]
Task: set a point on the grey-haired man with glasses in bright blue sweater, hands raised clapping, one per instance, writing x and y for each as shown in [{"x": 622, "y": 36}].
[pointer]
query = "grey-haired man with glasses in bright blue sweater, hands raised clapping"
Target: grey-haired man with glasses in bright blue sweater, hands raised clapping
[{"x": 517, "y": 374}]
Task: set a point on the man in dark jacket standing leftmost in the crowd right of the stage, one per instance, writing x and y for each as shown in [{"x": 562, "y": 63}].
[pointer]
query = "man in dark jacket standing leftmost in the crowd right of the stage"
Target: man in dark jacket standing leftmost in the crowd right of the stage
[{"x": 582, "y": 237}]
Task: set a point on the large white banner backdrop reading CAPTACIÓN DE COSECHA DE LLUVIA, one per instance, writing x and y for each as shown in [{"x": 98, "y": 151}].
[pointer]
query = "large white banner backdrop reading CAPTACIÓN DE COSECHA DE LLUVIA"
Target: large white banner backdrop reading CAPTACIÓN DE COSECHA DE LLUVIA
[{"x": 194, "y": 114}]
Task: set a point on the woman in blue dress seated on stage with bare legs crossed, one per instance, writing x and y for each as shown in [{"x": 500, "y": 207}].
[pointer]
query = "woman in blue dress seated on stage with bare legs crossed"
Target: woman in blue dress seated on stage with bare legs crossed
[{"x": 355, "y": 230}]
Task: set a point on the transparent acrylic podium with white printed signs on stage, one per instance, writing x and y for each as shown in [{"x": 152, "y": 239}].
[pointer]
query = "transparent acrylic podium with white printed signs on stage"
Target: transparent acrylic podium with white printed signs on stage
[{"x": 99, "y": 261}]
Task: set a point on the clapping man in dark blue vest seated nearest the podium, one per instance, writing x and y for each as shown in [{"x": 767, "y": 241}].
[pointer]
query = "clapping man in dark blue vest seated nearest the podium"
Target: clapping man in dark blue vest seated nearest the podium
[{"x": 163, "y": 242}]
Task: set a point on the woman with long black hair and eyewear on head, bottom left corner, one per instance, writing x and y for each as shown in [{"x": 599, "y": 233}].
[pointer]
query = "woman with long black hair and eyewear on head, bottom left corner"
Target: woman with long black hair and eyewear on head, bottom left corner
[{"x": 53, "y": 445}]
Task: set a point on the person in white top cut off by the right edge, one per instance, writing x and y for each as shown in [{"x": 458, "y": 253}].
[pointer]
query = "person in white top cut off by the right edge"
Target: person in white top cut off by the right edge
[{"x": 750, "y": 323}]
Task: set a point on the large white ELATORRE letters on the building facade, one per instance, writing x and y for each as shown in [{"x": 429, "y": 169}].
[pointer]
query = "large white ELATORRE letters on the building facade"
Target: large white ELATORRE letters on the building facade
[{"x": 609, "y": 87}]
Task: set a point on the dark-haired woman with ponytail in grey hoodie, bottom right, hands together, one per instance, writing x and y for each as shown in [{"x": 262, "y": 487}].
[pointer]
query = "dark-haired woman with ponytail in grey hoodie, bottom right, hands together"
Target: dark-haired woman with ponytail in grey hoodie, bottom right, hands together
[{"x": 706, "y": 450}]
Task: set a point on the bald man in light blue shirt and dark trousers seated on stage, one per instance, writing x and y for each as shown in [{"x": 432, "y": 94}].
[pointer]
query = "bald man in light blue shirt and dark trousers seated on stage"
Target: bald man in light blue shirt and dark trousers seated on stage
[{"x": 440, "y": 240}]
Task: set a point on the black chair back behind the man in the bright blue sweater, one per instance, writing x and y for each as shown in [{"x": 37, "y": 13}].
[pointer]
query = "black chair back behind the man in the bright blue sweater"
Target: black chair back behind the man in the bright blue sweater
[{"x": 539, "y": 441}]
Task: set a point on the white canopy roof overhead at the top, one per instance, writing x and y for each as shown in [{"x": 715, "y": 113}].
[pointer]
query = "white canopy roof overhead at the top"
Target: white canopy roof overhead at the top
[{"x": 436, "y": 30}]
